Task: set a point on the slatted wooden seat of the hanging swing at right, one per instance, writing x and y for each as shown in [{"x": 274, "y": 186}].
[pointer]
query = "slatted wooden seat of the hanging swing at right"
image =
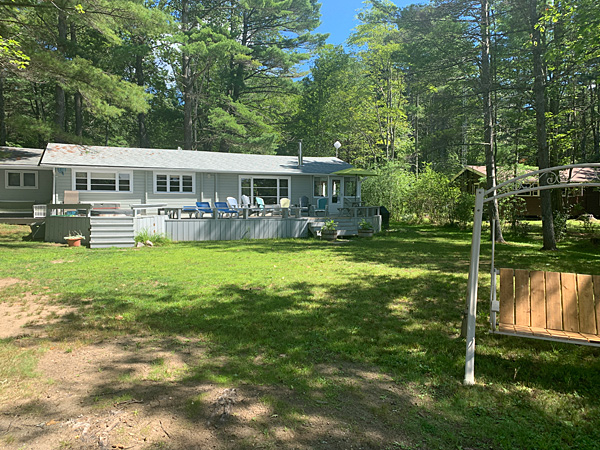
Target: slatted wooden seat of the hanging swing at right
[{"x": 550, "y": 305}]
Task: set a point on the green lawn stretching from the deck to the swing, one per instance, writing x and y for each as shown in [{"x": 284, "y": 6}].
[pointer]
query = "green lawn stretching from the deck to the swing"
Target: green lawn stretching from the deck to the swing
[{"x": 273, "y": 312}]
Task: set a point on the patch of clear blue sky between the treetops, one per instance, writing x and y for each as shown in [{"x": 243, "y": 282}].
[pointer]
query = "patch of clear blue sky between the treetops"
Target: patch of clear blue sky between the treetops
[{"x": 338, "y": 17}]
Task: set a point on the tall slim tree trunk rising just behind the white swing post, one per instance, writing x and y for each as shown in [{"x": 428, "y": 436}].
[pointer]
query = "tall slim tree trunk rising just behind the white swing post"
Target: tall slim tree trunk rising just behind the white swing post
[{"x": 488, "y": 117}]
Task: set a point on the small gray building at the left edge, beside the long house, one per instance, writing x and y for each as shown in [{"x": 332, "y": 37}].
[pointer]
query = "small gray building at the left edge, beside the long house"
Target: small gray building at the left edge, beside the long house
[{"x": 22, "y": 182}]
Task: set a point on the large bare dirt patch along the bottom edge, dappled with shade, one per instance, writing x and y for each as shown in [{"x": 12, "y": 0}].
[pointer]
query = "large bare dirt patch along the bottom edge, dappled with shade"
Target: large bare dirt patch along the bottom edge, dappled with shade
[{"x": 141, "y": 393}]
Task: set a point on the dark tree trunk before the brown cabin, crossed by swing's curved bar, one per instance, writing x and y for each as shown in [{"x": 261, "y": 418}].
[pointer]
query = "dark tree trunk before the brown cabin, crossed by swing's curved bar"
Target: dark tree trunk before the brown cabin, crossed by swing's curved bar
[{"x": 539, "y": 90}]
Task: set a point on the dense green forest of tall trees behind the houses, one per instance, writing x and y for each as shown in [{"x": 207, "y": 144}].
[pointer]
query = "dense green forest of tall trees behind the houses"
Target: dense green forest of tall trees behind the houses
[{"x": 434, "y": 85}]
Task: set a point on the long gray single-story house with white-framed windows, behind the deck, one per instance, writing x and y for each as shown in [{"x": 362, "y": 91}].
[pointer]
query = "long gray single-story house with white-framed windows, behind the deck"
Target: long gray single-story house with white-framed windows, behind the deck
[{"x": 133, "y": 176}]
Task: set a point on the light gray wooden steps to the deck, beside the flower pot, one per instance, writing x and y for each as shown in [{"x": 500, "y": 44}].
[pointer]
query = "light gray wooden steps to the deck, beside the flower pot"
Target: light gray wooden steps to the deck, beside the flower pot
[{"x": 111, "y": 232}]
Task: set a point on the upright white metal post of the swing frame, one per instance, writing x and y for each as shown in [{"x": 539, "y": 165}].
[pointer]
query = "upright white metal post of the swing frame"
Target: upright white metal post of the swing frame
[{"x": 472, "y": 289}]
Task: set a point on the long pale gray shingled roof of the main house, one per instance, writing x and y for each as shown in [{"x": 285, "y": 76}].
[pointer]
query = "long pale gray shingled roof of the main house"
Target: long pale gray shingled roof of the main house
[{"x": 69, "y": 155}]
